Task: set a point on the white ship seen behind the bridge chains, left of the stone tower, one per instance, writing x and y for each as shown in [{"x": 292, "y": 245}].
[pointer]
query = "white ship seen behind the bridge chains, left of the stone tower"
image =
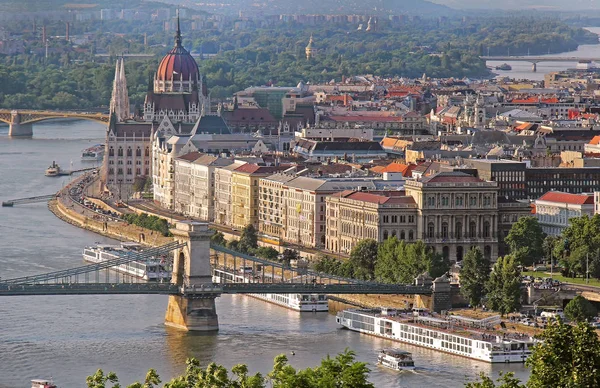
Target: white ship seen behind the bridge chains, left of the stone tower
[{"x": 155, "y": 269}]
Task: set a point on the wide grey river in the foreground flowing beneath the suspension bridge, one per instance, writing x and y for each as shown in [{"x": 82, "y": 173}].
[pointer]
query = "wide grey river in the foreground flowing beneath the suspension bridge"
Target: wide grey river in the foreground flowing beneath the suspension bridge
[{"x": 70, "y": 337}]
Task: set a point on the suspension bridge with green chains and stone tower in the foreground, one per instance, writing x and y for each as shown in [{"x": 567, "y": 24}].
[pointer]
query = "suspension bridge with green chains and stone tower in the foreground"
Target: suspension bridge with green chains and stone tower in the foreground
[{"x": 197, "y": 278}]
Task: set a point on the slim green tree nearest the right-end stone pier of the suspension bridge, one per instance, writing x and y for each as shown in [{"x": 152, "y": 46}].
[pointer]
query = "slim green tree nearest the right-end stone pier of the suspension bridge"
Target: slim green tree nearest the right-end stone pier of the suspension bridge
[{"x": 474, "y": 274}]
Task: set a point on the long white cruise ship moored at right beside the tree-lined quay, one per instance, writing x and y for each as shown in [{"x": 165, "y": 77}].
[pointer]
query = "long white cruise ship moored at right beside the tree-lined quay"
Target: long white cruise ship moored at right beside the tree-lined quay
[{"x": 459, "y": 337}]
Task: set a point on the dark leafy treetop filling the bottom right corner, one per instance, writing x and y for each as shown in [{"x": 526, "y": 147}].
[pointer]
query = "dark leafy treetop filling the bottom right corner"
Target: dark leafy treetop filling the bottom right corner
[{"x": 567, "y": 357}]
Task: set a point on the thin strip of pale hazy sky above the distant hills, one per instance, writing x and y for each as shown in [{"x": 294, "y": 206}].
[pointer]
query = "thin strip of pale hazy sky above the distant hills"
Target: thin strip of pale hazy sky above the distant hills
[{"x": 520, "y": 4}]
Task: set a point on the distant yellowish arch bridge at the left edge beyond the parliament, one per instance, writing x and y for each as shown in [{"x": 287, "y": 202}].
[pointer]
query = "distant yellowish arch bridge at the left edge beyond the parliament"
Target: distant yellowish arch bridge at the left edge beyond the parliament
[{"x": 20, "y": 121}]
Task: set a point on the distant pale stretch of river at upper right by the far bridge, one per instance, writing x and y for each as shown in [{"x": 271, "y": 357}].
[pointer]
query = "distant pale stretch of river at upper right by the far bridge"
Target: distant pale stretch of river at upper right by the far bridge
[{"x": 522, "y": 70}]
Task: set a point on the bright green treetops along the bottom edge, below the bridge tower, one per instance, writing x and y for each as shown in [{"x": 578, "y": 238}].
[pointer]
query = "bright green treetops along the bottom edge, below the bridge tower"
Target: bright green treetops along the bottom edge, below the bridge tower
[{"x": 343, "y": 371}]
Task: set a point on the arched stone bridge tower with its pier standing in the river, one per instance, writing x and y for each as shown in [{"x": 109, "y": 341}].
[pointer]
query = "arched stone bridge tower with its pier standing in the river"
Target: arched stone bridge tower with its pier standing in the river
[{"x": 191, "y": 269}]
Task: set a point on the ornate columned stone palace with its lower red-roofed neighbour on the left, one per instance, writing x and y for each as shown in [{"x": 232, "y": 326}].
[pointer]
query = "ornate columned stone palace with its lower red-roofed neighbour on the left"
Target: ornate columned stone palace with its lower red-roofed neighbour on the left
[{"x": 450, "y": 211}]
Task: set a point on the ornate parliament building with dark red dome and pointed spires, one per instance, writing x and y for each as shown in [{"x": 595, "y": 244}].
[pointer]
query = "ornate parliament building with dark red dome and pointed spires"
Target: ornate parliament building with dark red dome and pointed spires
[{"x": 175, "y": 104}]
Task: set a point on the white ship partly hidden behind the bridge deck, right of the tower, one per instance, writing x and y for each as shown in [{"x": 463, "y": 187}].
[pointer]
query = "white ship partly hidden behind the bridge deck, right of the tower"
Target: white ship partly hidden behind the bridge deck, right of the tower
[{"x": 296, "y": 302}]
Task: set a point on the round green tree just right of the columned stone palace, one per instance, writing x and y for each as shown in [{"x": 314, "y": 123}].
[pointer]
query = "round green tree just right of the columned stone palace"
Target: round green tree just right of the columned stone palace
[{"x": 525, "y": 240}]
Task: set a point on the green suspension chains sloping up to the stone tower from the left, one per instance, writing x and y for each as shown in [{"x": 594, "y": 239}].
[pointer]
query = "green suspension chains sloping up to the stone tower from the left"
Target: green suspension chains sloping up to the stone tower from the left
[{"x": 68, "y": 275}]
